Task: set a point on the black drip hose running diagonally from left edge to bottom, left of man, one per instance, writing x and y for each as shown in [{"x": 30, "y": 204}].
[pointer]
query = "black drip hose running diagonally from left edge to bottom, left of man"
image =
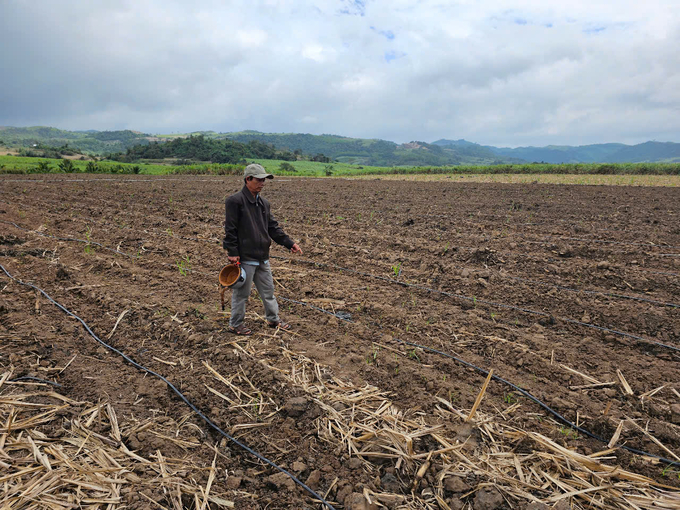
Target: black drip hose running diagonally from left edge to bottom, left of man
[{"x": 207, "y": 420}]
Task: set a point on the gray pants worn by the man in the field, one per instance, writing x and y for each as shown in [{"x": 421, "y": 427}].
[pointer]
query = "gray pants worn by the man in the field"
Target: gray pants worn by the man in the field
[{"x": 264, "y": 283}]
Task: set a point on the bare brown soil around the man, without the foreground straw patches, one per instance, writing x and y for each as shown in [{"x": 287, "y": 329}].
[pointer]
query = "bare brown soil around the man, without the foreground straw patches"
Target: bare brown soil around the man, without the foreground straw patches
[{"x": 505, "y": 244}]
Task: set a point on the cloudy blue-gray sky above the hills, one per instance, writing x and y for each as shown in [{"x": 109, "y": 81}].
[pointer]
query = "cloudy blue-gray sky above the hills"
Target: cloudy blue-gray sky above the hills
[{"x": 499, "y": 72}]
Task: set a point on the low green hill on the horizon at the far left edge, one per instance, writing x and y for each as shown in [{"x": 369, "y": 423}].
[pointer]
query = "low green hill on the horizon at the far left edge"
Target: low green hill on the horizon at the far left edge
[{"x": 90, "y": 141}]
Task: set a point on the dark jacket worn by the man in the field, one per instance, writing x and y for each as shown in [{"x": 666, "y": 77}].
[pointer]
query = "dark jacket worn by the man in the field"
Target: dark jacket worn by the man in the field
[{"x": 249, "y": 227}]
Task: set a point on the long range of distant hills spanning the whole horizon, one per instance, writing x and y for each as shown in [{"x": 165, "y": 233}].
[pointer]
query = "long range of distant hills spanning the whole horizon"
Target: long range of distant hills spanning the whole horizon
[{"x": 359, "y": 151}]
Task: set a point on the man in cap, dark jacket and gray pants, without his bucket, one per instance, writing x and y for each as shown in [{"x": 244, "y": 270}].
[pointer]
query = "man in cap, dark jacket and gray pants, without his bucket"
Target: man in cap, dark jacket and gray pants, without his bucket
[{"x": 248, "y": 232}]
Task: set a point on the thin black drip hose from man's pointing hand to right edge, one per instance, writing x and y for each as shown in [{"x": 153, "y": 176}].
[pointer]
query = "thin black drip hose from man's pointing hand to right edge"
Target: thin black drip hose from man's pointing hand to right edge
[{"x": 482, "y": 301}]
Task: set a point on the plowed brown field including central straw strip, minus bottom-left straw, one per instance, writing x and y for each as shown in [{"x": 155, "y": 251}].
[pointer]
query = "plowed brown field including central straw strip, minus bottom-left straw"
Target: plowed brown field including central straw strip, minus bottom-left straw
[{"x": 572, "y": 293}]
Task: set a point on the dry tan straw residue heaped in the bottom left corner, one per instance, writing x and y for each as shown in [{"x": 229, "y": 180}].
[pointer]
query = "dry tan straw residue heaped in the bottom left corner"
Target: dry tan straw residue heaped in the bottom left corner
[{"x": 61, "y": 454}]
